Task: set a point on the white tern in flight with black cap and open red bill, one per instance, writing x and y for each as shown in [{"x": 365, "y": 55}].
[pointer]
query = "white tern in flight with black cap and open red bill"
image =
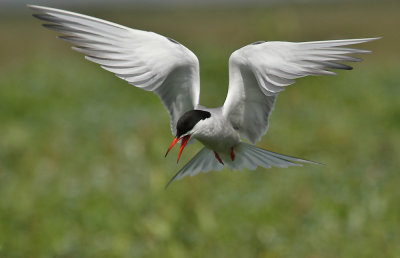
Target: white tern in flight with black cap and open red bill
[{"x": 257, "y": 73}]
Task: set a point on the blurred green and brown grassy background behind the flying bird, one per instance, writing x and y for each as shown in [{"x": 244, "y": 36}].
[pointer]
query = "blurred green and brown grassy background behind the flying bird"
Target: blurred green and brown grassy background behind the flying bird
[{"x": 82, "y": 167}]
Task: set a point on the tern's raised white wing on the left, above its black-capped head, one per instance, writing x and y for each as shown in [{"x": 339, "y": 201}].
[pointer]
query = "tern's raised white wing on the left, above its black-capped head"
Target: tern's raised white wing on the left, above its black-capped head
[{"x": 145, "y": 59}]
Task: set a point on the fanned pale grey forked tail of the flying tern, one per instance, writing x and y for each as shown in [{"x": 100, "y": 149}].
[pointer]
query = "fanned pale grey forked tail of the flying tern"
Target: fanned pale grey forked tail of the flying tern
[{"x": 247, "y": 156}]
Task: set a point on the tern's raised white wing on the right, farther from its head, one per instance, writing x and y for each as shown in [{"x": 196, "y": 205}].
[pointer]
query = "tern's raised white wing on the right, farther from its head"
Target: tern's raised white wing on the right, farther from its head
[{"x": 259, "y": 71}]
